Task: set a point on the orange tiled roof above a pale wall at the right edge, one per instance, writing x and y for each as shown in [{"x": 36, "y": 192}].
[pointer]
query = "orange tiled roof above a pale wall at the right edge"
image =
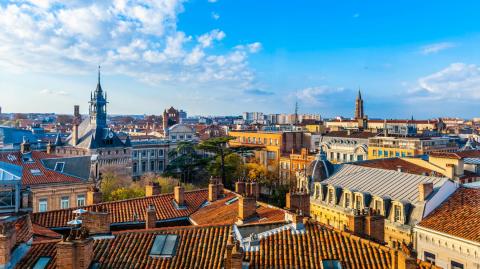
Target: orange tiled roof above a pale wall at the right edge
[{"x": 462, "y": 207}]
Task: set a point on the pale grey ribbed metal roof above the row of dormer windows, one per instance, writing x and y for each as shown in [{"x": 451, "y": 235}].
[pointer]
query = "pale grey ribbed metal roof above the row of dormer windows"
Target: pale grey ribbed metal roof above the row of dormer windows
[{"x": 381, "y": 182}]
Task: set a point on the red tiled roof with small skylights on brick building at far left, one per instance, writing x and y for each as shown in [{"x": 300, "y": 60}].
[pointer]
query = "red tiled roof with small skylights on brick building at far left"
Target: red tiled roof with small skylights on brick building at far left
[{"x": 47, "y": 176}]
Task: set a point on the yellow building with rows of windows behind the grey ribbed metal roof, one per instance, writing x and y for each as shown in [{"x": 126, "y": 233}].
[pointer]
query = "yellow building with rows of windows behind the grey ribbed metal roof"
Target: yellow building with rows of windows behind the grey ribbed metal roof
[{"x": 390, "y": 146}]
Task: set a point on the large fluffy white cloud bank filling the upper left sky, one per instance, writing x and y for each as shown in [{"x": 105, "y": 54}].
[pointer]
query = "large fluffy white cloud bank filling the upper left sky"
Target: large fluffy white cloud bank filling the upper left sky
[{"x": 135, "y": 38}]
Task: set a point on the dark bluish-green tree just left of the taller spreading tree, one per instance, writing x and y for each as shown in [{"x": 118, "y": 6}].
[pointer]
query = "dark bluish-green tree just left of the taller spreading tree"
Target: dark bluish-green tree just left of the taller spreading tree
[{"x": 185, "y": 161}]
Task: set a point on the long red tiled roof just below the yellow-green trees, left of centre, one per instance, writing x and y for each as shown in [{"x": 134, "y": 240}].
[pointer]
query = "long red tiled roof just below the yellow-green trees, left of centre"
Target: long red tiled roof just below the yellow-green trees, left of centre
[{"x": 129, "y": 210}]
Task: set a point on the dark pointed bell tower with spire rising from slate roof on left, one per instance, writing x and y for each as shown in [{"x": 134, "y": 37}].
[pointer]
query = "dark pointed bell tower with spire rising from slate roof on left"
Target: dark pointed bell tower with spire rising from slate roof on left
[{"x": 98, "y": 106}]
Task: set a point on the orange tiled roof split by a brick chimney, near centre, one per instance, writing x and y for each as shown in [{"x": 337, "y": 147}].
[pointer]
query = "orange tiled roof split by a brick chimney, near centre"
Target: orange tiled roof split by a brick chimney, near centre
[{"x": 220, "y": 213}]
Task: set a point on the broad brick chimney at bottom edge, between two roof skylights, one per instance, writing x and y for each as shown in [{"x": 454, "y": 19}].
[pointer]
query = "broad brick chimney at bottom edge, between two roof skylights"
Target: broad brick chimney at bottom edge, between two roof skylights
[{"x": 75, "y": 251}]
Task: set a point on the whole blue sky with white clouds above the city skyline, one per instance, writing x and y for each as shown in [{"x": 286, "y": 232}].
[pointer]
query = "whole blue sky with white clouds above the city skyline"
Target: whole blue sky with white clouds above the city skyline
[{"x": 409, "y": 58}]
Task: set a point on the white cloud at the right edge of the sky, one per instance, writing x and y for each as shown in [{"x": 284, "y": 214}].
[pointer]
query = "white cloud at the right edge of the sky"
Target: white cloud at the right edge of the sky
[{"x": 457, "y": 81}]
